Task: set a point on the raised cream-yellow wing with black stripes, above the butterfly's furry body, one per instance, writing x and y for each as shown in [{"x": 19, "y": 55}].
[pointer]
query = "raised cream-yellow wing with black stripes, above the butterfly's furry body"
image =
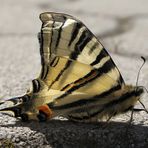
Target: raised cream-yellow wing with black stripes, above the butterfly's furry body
[{"x": 72, "y": 57}]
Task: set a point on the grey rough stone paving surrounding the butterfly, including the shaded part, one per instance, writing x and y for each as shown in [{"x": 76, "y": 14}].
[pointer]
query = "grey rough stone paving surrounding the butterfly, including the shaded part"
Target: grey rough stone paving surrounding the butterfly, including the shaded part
[{"x": 122, "y": 28}]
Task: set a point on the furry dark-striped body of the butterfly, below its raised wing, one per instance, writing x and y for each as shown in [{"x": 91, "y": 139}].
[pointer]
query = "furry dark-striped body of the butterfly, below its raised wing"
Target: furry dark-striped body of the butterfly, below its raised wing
[{"x": 93, "y": 109}]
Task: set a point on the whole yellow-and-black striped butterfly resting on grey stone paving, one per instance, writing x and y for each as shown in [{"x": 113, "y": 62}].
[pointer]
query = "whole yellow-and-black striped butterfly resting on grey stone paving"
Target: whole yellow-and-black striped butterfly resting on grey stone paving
[{"x": 78, "y": 78}]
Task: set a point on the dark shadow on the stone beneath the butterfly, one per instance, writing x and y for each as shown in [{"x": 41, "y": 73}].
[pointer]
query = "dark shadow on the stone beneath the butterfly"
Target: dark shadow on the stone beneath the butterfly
[{"x": 59, "y": 133}]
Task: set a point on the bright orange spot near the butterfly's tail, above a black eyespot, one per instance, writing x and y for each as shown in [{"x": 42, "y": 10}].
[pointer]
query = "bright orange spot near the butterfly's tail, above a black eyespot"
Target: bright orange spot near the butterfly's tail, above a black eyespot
[{"x": 45, "y": 109}]
